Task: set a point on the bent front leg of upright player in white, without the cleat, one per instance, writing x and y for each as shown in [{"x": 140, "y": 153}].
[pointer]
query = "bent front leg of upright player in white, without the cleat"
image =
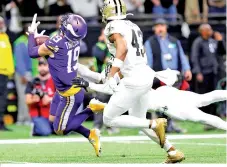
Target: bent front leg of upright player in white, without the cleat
[{"x": 119, "y": 103}]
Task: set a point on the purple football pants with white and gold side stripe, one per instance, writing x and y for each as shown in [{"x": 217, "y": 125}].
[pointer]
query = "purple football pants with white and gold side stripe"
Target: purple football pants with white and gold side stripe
[{"x": 67, "y": 118}]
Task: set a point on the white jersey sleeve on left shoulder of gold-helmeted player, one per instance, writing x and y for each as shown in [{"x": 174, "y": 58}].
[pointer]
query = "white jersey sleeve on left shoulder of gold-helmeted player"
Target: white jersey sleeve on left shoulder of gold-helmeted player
[{"x": 114, "y": 27}]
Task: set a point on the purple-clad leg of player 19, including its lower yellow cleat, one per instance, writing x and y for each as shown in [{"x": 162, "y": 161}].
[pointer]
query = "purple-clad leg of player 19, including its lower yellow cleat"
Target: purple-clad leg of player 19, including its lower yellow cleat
[{"x": 68, "y": 119}]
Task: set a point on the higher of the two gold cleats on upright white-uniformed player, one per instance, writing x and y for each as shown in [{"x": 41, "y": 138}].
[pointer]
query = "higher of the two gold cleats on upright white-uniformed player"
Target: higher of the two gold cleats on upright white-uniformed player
[{"x": 161, "y": 124}]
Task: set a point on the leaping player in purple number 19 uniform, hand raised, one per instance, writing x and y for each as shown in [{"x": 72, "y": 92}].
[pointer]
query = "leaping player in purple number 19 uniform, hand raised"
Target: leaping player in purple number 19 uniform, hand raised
[{"x": 62, "y": 52}]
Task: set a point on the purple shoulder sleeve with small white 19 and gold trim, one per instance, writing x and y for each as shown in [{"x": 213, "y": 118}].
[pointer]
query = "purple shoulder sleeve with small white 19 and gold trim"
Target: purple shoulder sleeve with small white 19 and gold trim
[{"x": 52, "y": 43}]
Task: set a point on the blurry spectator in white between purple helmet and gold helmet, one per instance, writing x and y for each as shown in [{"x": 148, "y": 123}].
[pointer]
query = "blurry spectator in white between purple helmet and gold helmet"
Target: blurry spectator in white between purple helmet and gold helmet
[{"x": 92, "y": 8}]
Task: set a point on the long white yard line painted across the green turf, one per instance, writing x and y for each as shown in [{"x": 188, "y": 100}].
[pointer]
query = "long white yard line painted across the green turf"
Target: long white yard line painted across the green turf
[{"x": 108, "y": 139}]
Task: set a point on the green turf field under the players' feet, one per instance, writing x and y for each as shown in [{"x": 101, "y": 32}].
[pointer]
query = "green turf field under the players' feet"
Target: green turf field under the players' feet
[{"x": 196, "y": 150}]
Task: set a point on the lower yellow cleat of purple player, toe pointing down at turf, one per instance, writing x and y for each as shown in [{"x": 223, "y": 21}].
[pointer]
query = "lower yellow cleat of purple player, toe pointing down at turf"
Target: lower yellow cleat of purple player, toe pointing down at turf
[{"x": 94, "y": 139}]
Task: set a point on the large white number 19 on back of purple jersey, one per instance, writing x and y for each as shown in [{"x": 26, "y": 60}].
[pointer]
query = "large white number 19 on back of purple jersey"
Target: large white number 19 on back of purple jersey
[{"x": 72, "y": 59}]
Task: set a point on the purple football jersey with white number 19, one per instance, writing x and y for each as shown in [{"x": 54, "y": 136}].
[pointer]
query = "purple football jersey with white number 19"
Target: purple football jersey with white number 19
[{"x": 63, "y": 62}]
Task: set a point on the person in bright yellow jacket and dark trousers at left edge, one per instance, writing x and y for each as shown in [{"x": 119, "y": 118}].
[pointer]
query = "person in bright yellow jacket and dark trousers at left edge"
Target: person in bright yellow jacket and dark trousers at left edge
[{"x": 6, "y": 69}]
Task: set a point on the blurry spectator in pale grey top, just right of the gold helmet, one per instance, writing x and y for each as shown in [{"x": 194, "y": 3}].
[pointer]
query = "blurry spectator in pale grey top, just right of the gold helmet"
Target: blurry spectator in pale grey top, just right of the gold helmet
[{"x": 134, "y": 6}]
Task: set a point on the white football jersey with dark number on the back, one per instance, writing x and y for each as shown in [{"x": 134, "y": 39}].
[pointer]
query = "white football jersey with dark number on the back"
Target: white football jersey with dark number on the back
[{"x": 136, "y": 57}]
